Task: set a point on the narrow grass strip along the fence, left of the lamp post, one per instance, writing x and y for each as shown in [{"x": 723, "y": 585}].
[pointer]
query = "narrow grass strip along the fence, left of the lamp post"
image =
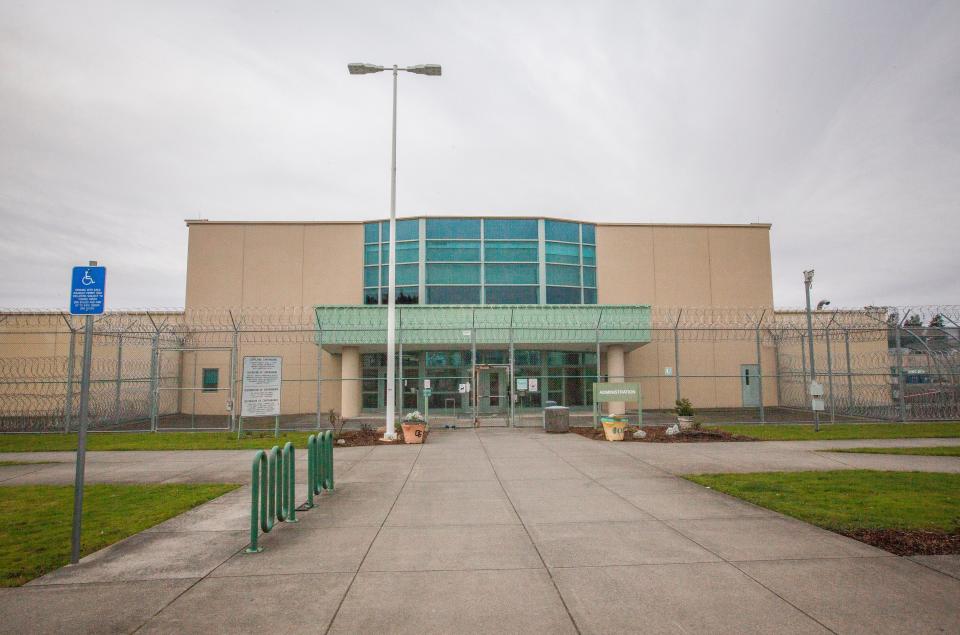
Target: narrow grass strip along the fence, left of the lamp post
[{"x": 150, "y": 441}]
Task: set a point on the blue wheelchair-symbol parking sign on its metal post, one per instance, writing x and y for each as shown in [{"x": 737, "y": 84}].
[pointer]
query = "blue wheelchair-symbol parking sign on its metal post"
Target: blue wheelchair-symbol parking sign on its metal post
[{"x": 86, "y": 298}]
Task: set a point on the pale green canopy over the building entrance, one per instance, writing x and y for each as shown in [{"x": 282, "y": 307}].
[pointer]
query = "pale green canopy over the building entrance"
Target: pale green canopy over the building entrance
[{"x": 438, "y": 326}]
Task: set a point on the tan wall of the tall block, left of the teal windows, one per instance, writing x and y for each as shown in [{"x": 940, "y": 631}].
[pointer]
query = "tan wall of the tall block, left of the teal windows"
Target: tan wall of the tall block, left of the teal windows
[{"x": 252, "y": 265}]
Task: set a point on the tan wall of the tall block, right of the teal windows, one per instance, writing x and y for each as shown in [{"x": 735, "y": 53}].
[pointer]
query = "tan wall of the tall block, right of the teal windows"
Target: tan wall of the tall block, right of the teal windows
[{"x": 689, "y": 266}]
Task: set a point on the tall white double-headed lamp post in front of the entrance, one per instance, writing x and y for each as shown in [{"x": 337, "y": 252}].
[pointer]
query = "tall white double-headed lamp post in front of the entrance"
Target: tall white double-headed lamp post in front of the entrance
[{"x": 420, "y": 69}]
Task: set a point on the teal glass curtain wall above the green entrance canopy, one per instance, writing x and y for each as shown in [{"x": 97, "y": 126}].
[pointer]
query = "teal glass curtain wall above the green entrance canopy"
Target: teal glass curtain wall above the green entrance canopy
[{"x": 483, "y": 261}]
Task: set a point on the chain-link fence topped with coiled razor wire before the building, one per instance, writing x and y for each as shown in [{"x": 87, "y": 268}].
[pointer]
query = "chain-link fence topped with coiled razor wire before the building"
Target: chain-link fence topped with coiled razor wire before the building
[{"x": 182, "y": 370}]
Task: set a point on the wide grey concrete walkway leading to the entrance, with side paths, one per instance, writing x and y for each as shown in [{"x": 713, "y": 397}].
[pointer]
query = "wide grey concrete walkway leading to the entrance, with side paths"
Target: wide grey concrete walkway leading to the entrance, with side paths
[{"x": 494, "y": 531}]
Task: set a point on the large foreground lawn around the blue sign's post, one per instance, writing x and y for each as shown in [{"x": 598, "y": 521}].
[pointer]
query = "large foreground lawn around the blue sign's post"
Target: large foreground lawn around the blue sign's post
[{"x": 35, "y": 520}]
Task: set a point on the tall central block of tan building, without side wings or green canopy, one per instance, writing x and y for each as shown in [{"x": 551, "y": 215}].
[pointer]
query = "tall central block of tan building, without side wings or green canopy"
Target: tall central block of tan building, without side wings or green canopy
[{"x": 517, "y": 261}]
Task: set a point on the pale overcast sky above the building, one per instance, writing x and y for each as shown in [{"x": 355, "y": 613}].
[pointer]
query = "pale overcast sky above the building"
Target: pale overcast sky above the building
[{"x": 838, "y": 122}]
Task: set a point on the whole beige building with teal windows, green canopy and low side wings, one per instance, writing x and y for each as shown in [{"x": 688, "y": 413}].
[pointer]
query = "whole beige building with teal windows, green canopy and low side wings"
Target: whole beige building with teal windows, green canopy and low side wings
[{"x": 497, "y": 317}]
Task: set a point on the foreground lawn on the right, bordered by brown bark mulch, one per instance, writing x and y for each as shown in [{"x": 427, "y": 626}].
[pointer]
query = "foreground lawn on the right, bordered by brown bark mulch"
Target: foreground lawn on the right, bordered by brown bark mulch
[{"x": 848, "y": 500}]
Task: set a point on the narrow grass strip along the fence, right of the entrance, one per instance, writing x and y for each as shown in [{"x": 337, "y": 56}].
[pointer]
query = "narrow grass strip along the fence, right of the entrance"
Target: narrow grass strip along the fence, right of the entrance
[{"x": 835, "y": 431}]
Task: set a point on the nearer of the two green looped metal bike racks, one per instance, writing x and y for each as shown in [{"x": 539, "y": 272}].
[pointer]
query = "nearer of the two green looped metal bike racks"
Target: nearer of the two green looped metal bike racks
[{"x": 271, "y": 492}]
